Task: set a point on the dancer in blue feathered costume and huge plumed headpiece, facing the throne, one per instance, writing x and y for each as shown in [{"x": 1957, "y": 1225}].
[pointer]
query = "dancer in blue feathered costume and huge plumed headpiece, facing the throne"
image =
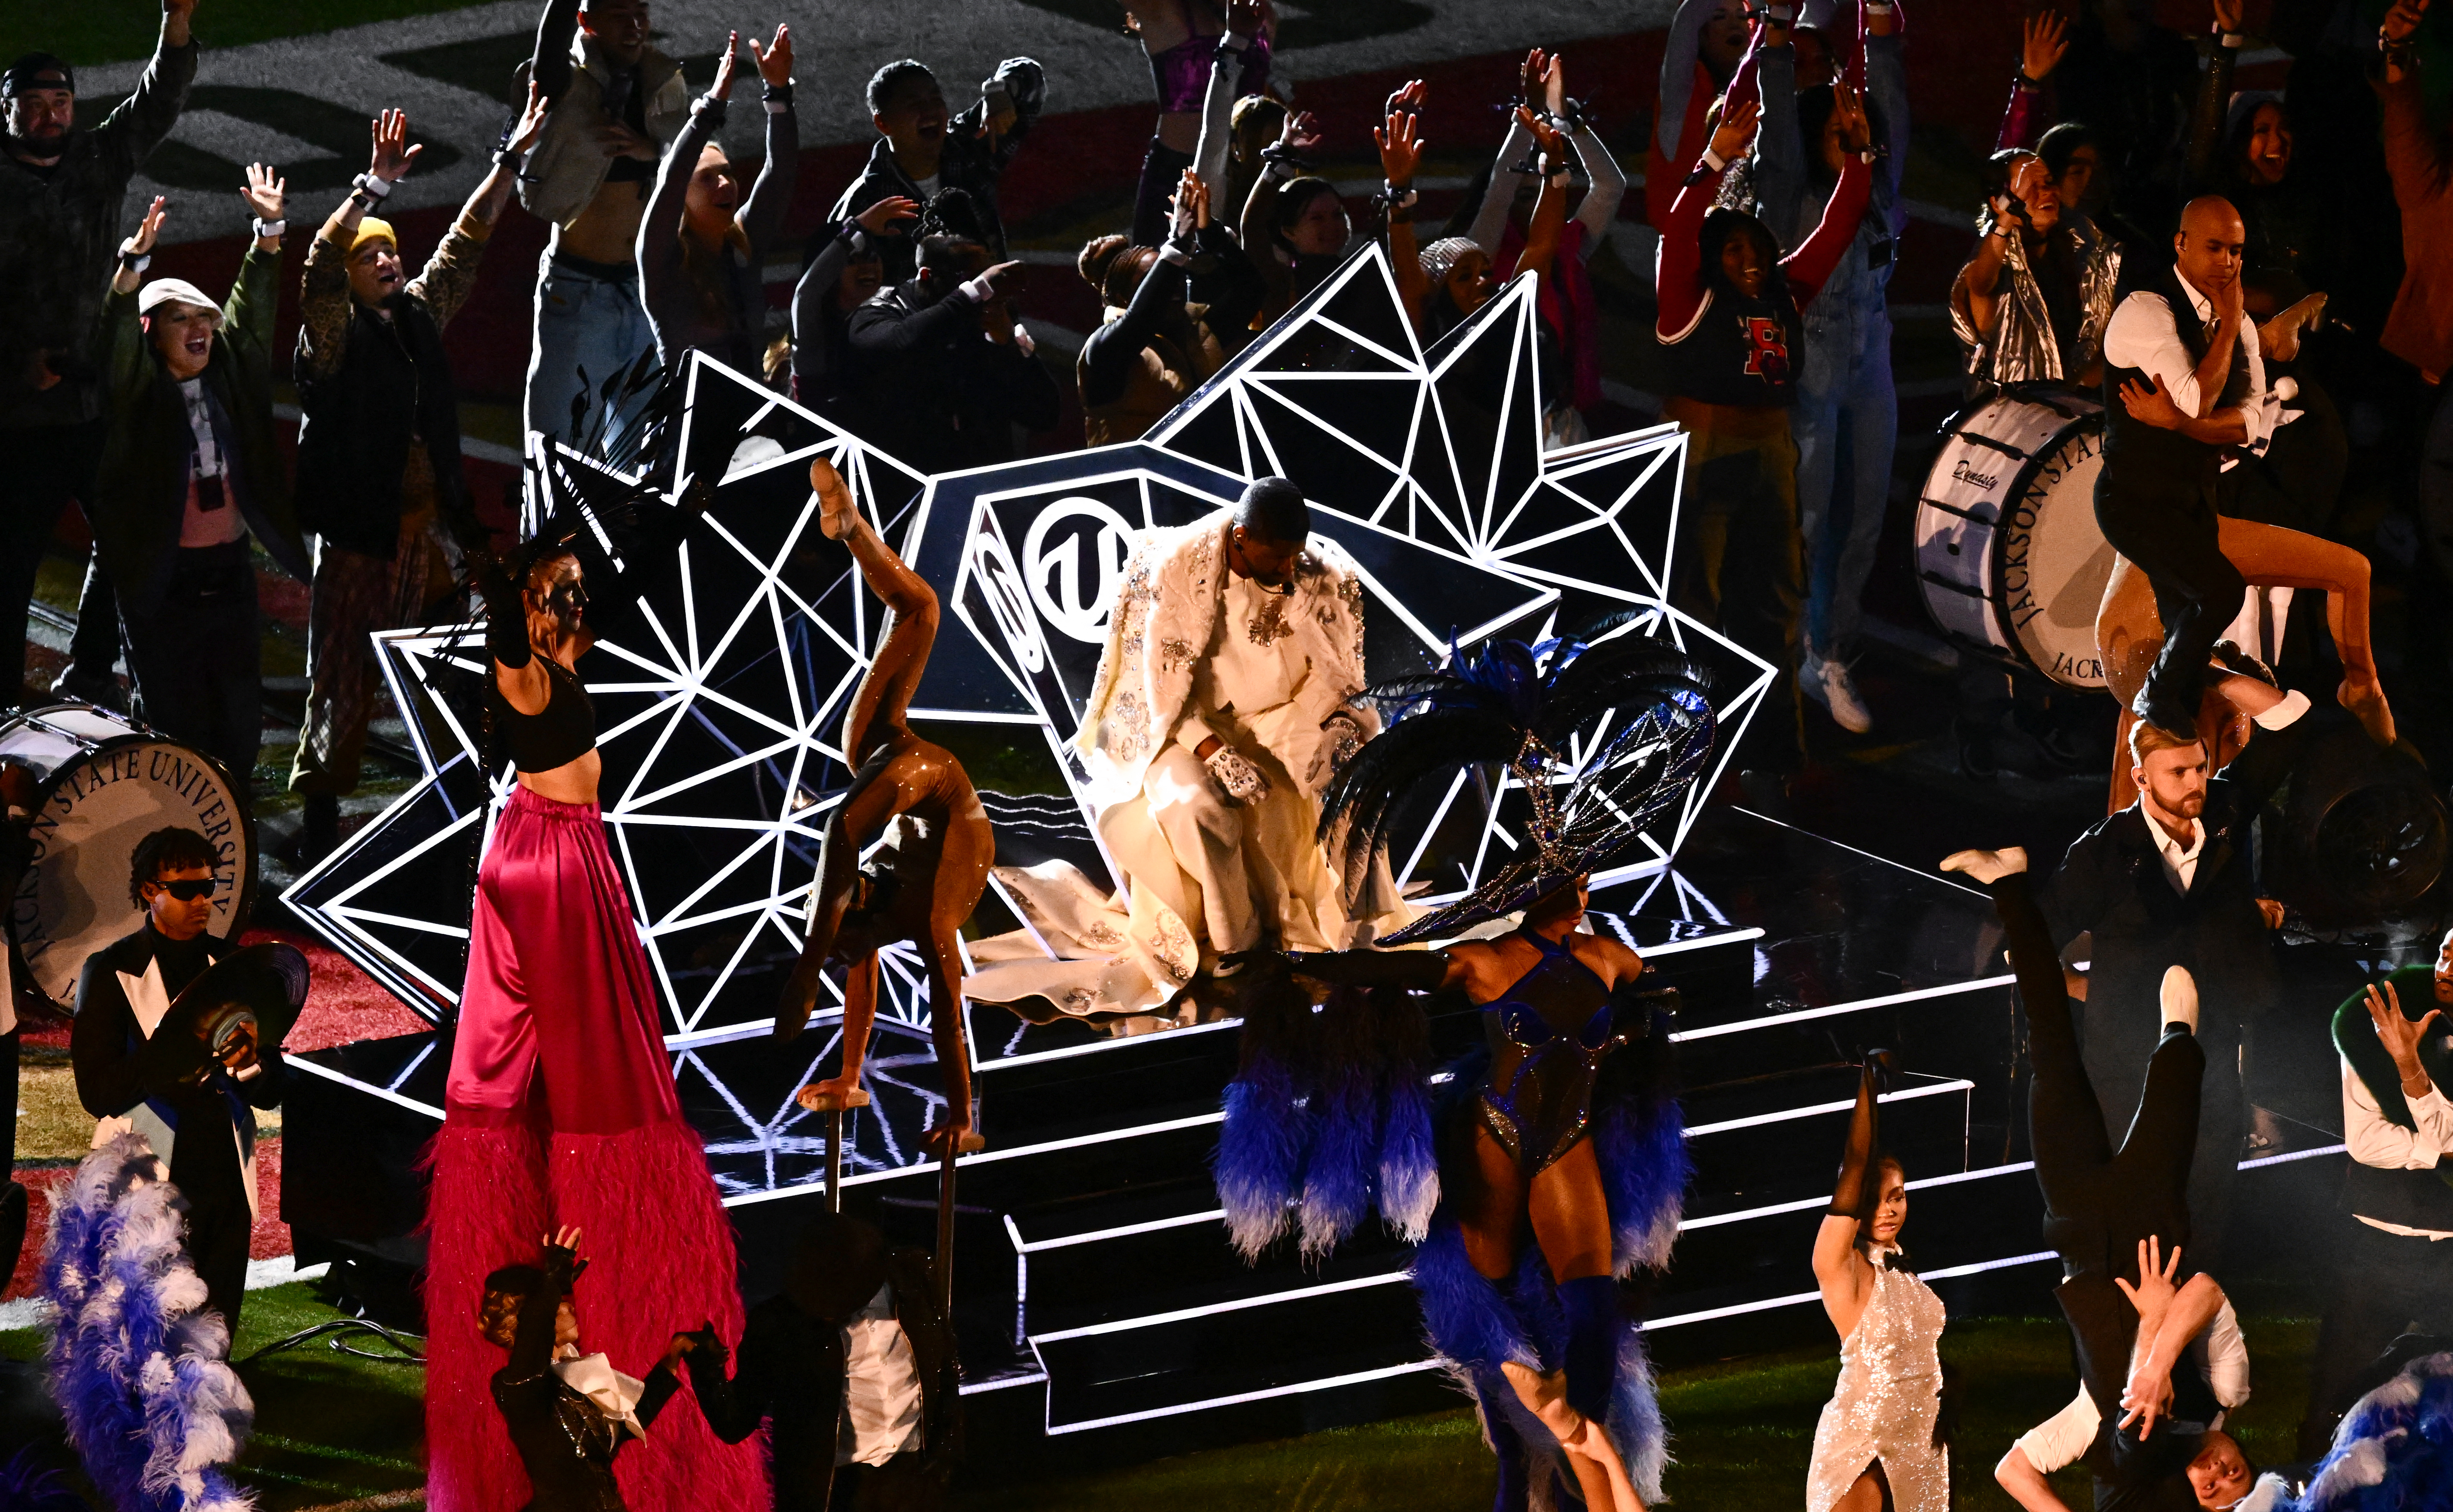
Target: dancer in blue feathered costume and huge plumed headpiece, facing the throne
[{"x": 1556, "y": 1160}]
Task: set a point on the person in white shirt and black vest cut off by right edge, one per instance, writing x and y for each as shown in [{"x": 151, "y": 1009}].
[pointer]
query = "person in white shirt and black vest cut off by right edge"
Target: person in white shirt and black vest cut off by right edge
[{"x": 2398, "y": 1256}]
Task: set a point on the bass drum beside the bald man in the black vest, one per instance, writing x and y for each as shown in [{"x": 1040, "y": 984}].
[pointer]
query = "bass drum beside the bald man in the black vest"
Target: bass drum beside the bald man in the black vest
[{"x": 2008, "y": 553}]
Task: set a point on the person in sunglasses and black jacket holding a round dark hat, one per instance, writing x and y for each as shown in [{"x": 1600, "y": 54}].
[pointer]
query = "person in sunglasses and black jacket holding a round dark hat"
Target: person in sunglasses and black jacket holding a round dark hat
[{"x": 193, "y": 1106}]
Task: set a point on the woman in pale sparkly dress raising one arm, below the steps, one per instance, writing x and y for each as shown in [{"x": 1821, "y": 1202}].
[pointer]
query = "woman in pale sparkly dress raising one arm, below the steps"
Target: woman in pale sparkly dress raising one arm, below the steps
[{"x": 1880, "y": 1442}]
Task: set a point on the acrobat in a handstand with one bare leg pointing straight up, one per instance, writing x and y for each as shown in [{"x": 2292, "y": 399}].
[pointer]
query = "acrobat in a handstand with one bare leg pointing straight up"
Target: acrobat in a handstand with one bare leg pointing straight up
[{"x": 933, "y": 871}]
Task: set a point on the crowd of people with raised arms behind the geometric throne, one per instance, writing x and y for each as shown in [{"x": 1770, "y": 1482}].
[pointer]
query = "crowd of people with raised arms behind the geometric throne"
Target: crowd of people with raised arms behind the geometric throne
[{"x": 904, "y": 322}]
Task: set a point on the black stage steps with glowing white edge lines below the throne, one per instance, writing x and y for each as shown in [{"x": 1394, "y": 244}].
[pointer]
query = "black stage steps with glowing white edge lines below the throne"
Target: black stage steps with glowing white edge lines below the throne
[{"x": 1098, "y": 1293}]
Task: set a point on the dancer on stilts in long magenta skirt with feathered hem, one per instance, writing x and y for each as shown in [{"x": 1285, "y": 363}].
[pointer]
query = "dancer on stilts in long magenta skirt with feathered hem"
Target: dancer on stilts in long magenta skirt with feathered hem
[{"x": 561, "y": 1106}]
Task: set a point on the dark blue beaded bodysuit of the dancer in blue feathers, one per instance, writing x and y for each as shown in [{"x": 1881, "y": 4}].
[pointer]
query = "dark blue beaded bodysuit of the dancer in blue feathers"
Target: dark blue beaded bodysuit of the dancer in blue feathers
[{"x": 1549, "y": 1035}]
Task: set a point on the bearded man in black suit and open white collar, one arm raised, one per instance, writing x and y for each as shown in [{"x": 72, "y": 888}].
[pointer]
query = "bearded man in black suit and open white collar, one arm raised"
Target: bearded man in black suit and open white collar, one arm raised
[{"x": 2170, "y": 881}]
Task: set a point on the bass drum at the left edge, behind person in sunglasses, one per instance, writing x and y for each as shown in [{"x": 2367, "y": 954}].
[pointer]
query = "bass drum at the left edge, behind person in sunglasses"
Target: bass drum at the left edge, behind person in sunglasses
[{"x": 104, "y": 785}]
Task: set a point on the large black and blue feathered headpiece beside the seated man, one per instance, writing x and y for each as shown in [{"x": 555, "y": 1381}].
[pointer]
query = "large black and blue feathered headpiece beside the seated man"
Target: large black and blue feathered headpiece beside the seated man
[{"x": 1598, "y": 734}]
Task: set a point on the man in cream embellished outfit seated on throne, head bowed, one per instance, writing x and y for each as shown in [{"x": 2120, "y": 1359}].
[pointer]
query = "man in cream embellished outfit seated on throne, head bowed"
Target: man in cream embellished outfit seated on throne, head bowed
[{"x": 1218, "y": 717}]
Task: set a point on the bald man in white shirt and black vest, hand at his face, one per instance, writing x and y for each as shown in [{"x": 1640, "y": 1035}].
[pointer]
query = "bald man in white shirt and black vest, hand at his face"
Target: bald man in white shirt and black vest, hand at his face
[{"x": 2184, "y": 384}]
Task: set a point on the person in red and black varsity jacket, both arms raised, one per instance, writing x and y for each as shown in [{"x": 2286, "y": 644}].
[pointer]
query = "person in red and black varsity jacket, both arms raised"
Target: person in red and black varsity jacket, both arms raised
[{"x": 1731, "y": 317}]
